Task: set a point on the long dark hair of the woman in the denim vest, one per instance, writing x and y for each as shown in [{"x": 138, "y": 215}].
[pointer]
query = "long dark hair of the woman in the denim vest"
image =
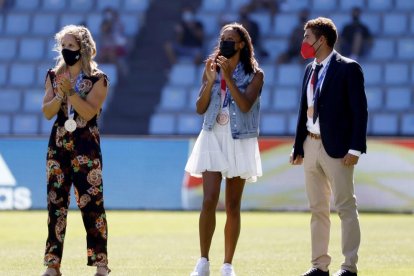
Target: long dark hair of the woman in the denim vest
[{"x": 247, "y": 57}]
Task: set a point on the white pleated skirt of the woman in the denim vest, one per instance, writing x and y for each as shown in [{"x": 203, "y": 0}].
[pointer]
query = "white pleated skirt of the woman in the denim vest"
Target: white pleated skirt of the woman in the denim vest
[{"x": 217, "y": 151}]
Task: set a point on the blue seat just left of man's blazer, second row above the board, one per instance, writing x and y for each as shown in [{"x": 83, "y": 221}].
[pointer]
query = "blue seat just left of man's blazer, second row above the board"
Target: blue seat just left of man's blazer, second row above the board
[{"x": 285, "y": 99}]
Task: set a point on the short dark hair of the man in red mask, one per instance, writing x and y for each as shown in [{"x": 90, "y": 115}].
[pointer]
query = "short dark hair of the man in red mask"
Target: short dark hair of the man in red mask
[{"x": 323, "y": 26}]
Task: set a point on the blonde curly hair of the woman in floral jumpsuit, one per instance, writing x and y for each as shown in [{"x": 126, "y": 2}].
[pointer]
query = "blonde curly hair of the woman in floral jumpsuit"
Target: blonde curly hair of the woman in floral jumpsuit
[{"x": 87, "y": 49}]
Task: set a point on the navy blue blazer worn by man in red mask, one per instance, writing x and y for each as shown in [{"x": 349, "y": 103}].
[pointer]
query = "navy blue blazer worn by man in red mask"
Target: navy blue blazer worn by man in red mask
[{"x": 343, "y": 110}]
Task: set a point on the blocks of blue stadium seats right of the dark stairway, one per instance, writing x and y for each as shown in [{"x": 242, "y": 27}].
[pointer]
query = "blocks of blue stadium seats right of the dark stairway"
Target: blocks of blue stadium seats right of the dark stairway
[{"x": 388, "y": 69}]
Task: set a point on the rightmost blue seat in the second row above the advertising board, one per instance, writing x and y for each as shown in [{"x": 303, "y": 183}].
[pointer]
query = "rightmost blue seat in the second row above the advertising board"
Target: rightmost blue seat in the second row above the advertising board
[{"x": 398, "y": 99}]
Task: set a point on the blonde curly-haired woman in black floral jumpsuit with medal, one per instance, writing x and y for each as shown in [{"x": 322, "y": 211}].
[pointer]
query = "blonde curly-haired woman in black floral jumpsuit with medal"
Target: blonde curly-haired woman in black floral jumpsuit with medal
[{"x": 75, "y": 90}]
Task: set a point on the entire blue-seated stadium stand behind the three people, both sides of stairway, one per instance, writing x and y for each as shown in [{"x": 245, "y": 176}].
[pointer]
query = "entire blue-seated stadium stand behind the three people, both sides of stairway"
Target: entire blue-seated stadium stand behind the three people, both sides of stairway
[{"x": 26, "y": 43}]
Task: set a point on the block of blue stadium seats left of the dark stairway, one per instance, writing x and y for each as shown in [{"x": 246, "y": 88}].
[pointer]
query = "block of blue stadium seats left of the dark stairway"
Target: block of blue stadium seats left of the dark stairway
[{"x": 26, "y": 43}]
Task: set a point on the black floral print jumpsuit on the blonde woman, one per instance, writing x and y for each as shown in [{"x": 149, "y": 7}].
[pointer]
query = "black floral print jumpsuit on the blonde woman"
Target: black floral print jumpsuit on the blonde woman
[{"x": 76, "y": 158}]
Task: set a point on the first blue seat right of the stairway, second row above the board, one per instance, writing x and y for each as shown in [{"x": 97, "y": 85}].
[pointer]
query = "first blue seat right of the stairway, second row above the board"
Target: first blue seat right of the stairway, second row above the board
[{"x": 173, "y": 98}]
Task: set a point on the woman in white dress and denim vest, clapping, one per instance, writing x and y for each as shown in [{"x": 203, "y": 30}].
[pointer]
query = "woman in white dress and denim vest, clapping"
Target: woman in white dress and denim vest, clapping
[{"x": 227, "y": 146}]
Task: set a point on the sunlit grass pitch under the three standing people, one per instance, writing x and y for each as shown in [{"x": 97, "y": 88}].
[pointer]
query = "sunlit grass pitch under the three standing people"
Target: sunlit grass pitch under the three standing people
[{"x": 149, "y": 243}]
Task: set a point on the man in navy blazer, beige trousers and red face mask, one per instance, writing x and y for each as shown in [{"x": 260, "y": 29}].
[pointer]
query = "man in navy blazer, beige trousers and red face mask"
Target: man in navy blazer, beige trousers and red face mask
[{"x": 330, "y": 137}]
